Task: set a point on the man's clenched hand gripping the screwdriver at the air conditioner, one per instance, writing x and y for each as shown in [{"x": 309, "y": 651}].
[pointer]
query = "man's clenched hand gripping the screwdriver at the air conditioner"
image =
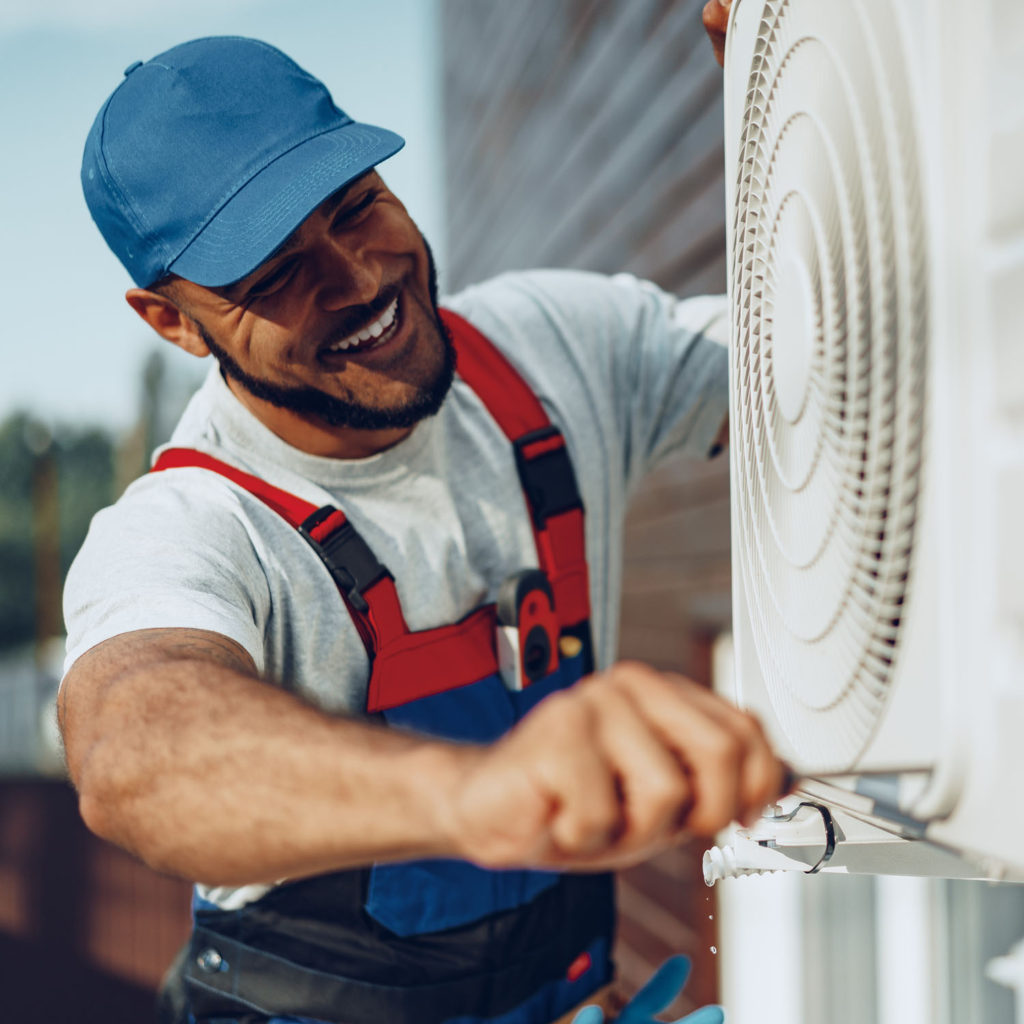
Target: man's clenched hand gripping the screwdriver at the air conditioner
[{"x": 610, "y": 774}]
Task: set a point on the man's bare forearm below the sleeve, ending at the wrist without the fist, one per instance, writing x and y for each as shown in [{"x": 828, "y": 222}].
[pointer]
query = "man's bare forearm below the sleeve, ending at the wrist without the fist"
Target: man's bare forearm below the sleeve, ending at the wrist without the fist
[{"x": 205, "y": 773}]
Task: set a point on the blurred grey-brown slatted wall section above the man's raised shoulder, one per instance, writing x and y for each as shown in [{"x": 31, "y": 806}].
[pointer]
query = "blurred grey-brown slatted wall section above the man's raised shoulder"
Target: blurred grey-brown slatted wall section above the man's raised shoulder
[{"x": 584, "y": 134}]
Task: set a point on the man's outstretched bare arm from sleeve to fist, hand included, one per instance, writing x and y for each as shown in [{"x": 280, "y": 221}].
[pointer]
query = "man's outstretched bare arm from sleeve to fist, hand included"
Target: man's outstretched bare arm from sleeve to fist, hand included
[{"x": 184, "y": 756}]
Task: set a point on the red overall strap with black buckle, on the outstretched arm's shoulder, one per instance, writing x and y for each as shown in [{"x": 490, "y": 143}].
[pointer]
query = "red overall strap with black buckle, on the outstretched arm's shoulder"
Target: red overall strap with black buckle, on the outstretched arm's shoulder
[{"x": 380, "y": 620}]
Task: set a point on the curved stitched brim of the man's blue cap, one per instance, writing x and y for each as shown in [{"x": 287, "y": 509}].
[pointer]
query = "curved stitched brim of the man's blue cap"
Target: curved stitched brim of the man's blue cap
[{"x": 266, "y": 211}]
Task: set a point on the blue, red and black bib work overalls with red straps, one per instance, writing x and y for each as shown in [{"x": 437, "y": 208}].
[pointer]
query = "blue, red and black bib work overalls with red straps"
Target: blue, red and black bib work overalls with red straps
[{"x": 429, "y": 942}]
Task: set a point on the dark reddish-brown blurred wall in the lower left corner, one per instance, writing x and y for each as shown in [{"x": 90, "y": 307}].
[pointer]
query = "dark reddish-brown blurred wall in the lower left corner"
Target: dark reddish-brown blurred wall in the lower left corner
[{"x": 87, "y": 931}]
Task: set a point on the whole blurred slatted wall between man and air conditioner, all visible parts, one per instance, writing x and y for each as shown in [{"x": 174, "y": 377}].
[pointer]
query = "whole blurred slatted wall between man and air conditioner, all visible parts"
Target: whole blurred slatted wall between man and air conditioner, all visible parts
[{"x": 588, "y": 134}]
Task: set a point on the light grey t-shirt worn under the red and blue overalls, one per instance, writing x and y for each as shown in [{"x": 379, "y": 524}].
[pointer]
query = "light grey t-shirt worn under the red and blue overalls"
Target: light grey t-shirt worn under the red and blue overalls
[{"x": 627, "y": 372}]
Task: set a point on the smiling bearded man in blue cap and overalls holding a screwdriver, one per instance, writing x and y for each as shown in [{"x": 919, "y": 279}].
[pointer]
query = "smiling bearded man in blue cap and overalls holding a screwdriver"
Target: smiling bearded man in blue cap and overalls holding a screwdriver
[{"x": 288, "y": 678}]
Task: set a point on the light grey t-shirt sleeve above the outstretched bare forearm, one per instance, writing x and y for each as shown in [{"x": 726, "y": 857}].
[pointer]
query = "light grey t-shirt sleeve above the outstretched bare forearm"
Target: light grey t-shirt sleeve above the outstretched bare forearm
[{"x": 165, "y": 557}]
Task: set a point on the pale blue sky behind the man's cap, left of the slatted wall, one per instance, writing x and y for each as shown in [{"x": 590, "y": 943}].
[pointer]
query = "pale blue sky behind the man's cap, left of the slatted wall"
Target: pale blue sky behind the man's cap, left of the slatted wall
[{"x": 71, "y": 347}]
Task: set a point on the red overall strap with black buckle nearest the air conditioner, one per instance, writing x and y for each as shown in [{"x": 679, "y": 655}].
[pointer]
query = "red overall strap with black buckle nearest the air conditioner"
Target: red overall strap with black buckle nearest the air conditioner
[{"x": 545, "y": 470}]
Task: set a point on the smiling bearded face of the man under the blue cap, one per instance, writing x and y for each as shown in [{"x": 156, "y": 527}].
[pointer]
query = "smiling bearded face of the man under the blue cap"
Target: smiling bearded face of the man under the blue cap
[{"x": 339, "y": 328}]
